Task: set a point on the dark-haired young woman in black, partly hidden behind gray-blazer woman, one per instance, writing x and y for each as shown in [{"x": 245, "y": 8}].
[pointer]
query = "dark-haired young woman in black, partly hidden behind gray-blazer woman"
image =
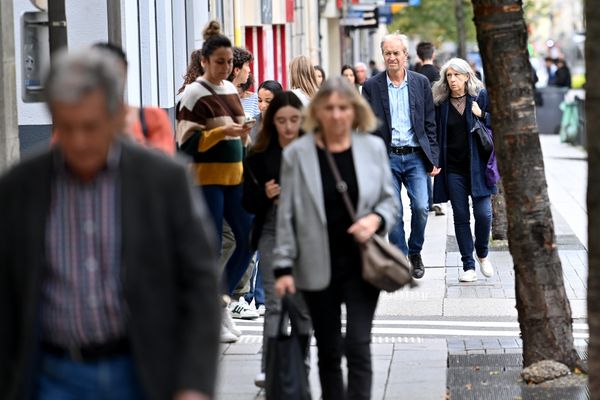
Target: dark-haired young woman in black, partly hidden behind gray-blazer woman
[{"x": 281, "y": 125}]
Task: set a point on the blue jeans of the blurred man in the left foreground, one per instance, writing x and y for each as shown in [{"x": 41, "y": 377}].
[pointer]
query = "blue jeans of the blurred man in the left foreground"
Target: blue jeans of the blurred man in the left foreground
[{"x": 109, "y": 379}]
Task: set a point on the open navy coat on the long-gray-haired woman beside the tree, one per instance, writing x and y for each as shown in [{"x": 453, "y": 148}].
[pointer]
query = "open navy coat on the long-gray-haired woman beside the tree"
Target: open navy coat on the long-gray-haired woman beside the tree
[{"x": 478, "y": 186}]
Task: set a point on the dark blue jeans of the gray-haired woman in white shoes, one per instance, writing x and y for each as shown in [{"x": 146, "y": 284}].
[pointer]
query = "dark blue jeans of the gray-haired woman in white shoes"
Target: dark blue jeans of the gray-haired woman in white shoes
[{"x": 459, "y": 190}]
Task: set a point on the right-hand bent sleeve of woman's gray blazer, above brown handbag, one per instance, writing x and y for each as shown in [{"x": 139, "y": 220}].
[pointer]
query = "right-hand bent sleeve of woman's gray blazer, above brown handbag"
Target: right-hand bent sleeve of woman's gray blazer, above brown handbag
[{"x": 388, "y": 203}]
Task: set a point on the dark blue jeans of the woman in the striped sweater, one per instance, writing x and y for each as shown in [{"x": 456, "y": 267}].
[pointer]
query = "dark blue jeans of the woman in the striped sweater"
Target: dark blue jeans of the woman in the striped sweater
[{"x": 225, "y": 202}]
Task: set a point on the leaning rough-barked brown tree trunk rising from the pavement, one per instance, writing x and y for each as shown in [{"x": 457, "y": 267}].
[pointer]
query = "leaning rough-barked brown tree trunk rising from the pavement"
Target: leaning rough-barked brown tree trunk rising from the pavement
[{"x": 542, "y": 304}]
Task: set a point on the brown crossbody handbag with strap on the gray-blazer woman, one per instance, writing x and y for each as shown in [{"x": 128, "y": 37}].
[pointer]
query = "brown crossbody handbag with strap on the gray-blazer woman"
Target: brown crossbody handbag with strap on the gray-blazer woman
[{"x": 383, "y": 265}]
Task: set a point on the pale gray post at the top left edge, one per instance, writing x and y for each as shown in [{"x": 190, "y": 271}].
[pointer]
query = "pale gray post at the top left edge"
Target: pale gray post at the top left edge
[{"x": 9, "y": 132}]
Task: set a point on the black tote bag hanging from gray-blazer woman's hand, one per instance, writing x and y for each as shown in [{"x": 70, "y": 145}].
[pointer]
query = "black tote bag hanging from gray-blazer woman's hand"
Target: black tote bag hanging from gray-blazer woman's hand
[{"x": 286, "y": 375}]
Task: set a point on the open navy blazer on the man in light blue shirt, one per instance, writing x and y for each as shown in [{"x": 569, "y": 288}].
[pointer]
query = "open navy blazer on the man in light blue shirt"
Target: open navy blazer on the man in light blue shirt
[{"x": 422, "y": 112}]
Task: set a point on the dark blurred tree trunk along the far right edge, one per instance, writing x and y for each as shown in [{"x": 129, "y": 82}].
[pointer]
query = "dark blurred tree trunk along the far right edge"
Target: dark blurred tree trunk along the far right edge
[{"x": 592, "y": 113}]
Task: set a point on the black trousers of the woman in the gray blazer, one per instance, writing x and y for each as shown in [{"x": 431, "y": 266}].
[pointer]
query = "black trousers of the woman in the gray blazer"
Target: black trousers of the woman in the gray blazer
[{"x": 325, "y": 310}]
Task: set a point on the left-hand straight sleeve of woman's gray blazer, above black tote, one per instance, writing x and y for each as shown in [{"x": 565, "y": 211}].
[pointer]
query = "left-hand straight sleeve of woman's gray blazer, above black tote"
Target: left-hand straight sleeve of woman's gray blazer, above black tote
[{"x": 286, "y": 248}]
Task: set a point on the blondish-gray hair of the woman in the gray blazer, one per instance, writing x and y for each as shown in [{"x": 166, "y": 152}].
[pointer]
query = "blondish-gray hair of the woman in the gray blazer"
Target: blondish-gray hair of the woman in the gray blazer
[{"x": 364, "y": 119}]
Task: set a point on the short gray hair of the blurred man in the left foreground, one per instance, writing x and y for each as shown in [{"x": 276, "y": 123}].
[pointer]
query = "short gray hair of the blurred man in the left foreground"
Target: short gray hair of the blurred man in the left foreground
[{"x": 76, "y": 74}]
